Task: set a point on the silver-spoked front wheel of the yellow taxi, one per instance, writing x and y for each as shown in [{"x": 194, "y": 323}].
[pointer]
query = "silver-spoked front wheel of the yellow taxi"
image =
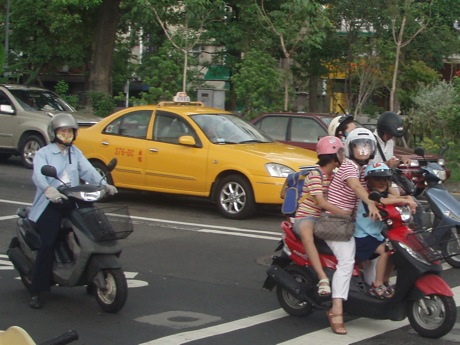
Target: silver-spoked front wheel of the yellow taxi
[{"x": 235, "y": 198}]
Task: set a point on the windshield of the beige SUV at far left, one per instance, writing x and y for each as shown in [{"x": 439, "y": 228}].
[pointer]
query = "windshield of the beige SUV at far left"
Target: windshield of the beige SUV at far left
[{"x": 40, "y": 100}]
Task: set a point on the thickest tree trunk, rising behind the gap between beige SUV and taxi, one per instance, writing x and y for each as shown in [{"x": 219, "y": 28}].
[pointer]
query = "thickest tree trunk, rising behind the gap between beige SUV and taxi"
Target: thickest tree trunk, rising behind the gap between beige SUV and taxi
[{"x": 100, "y": 76}]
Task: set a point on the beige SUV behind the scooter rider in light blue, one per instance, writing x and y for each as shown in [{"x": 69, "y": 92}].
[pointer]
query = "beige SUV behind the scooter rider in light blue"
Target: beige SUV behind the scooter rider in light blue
[{"x": 24, "y": 114}]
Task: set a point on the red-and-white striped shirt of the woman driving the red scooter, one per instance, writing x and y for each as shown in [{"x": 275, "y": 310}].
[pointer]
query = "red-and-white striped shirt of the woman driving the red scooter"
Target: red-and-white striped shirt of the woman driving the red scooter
[{"x": 340, "y": 194}]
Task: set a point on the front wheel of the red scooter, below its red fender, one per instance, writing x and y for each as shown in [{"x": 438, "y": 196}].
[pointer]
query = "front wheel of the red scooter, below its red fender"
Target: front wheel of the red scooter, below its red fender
[{"x": 432, "y": 316}]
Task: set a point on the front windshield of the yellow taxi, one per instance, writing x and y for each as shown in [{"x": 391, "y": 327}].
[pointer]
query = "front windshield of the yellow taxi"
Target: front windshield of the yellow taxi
[{"x": 228, "y": 129}]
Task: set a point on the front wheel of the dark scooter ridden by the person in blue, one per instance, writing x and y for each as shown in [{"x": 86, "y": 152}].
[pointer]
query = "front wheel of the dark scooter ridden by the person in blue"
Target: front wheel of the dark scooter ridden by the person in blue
[{"x": 113, "y": 296}]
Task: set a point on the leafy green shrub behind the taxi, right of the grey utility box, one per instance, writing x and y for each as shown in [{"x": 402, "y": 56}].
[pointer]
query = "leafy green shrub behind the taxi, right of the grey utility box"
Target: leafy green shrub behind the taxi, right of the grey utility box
[{"x": 258, "y": 84}]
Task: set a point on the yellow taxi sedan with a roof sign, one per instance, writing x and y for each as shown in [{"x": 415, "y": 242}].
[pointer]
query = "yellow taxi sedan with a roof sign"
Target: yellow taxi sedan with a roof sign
[{"x": 183, "y": 147}]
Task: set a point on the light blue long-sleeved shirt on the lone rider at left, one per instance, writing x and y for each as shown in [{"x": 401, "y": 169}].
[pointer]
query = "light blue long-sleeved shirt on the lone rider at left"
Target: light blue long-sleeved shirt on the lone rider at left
[{"x": 79, "y": 169}]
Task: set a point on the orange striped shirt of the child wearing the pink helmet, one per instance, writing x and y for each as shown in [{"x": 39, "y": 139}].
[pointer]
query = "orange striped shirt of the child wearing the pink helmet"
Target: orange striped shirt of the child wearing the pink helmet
[{"x": 313, "y": 185}]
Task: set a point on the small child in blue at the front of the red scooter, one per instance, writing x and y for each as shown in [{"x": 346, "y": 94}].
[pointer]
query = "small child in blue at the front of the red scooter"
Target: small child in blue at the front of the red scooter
[{"x": 368, "y": 233}]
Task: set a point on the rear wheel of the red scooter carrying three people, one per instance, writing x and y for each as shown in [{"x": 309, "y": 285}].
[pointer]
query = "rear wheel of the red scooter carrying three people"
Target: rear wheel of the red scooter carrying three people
[{"x": 288, "y": 302}]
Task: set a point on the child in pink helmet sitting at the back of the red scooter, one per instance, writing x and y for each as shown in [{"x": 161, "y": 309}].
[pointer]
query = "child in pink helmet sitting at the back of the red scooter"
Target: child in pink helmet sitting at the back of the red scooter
[{"x": 330, "y": 153}]
